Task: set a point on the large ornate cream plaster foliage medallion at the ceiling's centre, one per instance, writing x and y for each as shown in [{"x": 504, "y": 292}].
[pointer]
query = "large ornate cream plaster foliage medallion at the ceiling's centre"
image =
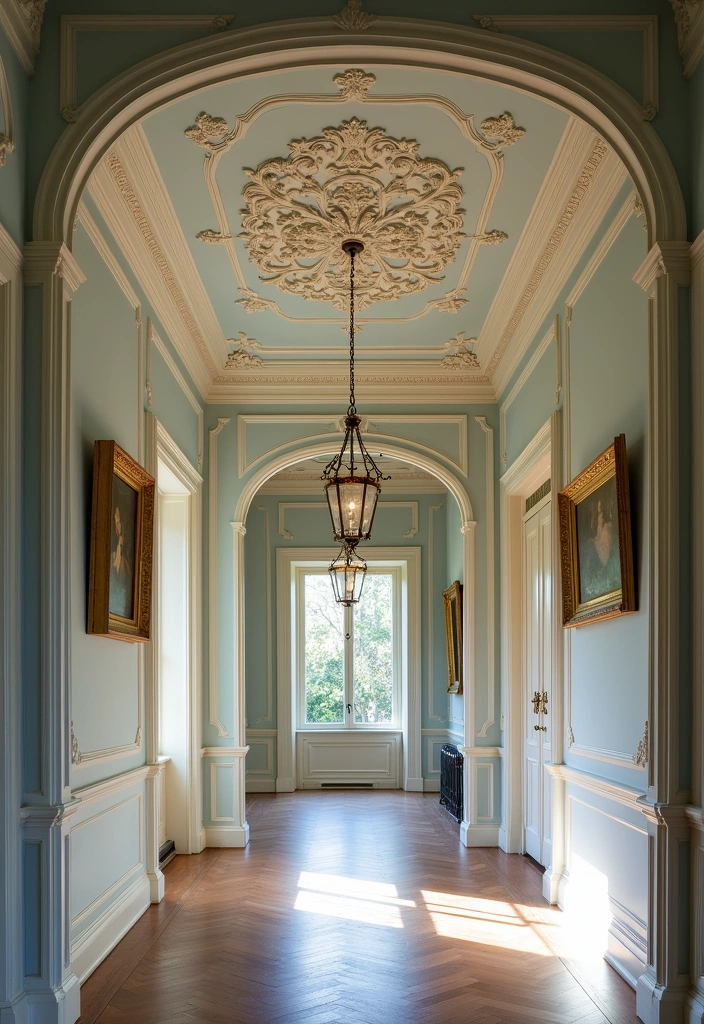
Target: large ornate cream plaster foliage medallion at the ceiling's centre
[{"x": 353, "y": 182}]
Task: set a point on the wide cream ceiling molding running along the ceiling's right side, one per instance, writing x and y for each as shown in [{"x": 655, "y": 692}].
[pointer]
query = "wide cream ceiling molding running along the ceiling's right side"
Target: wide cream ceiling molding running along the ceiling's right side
[{"x": 531, "y": 284}]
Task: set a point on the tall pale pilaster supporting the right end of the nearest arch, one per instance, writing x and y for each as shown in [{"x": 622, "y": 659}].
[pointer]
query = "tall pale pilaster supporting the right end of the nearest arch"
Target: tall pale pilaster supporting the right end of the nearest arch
[{"x": 663, "y": 990}]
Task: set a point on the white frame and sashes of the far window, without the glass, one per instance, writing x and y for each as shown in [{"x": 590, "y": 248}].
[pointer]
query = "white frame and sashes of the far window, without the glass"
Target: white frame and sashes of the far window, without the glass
[{"x": 399, "y": 573}]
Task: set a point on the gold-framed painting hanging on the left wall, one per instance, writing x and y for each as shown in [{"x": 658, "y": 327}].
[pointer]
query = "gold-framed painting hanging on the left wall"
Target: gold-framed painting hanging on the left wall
[{"x": 121, "y": 546}]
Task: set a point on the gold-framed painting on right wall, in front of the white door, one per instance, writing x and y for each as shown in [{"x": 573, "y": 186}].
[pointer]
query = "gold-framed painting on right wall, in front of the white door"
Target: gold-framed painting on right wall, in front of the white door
[{"x": 596, "y": 541}]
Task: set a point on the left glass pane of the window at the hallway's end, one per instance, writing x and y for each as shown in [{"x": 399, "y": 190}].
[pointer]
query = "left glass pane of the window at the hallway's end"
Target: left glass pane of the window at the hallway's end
[{"x": 325, "y": 655}]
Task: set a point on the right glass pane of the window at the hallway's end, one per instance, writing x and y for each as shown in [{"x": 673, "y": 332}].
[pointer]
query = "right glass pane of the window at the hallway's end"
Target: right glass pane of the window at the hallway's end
[{"x": 374, "y": 652}]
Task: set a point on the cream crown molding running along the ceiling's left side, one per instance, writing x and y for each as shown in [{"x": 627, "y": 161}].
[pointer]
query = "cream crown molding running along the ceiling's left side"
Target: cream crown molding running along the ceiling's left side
[{"x": 149, "y": 264}]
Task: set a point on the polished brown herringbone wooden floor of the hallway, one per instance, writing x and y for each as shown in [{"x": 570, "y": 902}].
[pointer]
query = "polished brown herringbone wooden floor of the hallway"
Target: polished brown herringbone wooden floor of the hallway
[{"x": 351, "y": 908}]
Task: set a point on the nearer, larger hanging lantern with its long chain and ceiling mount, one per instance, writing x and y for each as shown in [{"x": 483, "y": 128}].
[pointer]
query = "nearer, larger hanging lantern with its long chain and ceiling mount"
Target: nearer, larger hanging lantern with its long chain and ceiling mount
[{"x": 354, "y": 477}]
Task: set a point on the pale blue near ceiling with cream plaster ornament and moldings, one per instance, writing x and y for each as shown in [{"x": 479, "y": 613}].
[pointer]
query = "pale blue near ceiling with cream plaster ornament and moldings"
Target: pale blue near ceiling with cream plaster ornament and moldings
[{"x": 474, "y": 202}]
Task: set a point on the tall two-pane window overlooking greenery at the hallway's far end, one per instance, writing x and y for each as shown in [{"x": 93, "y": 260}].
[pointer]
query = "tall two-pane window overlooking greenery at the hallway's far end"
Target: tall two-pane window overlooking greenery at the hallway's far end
[{"x": 348, "y": 659}]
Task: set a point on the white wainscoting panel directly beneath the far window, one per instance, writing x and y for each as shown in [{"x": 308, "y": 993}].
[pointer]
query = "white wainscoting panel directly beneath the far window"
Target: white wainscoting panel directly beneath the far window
[{"x": 349, "y": 758}]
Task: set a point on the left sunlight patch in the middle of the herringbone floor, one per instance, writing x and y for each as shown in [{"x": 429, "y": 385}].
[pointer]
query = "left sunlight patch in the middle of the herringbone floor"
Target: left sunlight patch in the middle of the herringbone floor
[{"x": 353, "y": 900}]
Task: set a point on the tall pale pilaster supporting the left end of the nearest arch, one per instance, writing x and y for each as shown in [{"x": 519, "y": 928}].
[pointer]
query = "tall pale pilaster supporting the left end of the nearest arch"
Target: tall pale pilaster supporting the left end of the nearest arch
[{"x": 53, "y": 990}]
